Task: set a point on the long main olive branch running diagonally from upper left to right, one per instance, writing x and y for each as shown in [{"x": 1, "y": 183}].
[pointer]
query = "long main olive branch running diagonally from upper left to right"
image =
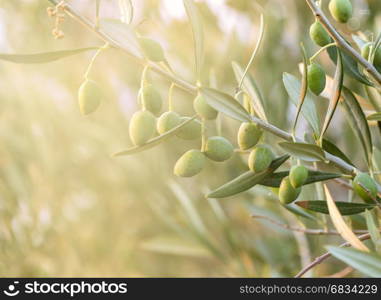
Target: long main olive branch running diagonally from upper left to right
[{"x": 192, "y": 89}]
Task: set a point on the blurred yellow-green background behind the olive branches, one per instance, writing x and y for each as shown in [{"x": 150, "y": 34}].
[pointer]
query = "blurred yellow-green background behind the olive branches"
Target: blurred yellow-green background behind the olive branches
[{"x": 67, "y": 208}]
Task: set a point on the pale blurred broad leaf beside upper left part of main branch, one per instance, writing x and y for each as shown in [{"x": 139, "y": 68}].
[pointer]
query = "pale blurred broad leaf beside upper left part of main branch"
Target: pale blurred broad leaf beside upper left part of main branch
[{"x": 121, "y": 33}]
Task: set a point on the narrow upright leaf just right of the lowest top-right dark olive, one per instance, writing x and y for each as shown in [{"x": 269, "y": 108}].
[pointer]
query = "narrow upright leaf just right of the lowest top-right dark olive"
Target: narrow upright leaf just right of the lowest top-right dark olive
[{"x": 336, "y": 94}]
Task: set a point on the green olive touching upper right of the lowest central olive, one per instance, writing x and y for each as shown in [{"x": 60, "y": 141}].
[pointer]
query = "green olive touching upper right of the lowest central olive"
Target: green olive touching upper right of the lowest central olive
[{"x": 218, "y": 148}]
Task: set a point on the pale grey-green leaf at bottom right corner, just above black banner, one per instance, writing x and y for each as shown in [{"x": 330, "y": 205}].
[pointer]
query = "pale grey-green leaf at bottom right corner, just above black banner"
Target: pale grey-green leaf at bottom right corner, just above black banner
[{"x": 367, "y": 263}]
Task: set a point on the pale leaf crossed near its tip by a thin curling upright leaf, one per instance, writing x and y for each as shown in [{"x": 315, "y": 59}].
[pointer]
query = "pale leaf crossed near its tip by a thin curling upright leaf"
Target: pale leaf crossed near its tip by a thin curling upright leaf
[{"x": 252, "y": 89}]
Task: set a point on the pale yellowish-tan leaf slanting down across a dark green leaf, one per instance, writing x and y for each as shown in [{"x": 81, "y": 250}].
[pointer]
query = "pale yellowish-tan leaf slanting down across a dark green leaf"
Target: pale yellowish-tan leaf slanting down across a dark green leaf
[{"x": 337, "y": 219}]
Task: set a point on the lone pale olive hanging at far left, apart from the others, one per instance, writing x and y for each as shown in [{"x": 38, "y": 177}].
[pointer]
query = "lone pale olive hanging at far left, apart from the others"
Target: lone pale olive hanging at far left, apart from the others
[{"x": 89, "y": 96}]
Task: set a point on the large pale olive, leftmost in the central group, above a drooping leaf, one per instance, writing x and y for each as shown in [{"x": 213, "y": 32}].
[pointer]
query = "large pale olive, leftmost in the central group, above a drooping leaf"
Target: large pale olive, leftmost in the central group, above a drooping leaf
[{"x": 142, "y": 127}]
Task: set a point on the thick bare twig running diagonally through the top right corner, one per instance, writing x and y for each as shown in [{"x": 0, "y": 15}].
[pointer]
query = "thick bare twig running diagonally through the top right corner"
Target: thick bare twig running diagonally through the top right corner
[{"x": 341, "y": 42}]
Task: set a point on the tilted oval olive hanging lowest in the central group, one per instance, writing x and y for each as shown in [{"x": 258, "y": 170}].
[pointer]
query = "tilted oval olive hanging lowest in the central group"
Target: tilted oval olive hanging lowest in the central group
[{"x": 190, "y": 163}]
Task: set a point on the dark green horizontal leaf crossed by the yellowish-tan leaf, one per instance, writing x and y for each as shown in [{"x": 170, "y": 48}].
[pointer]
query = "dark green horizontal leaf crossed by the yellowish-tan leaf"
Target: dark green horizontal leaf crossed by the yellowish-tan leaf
[{"x": 345, "y": 208}]
